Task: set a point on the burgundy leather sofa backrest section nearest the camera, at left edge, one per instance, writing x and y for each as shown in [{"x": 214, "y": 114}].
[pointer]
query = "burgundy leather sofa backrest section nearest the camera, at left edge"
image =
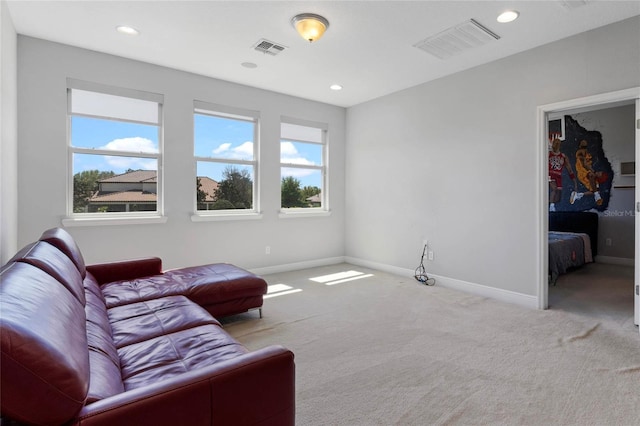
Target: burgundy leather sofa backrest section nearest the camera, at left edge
[{"x": 44, "y": 360}]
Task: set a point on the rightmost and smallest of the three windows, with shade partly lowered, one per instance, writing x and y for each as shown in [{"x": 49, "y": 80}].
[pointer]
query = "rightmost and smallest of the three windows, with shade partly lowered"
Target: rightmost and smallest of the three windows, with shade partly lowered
[{"x": 303, "y": 165}]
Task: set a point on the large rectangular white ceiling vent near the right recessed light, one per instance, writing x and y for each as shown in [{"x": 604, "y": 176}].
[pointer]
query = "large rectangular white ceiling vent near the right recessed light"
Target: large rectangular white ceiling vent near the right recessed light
[{"x": 457, "y": 39}]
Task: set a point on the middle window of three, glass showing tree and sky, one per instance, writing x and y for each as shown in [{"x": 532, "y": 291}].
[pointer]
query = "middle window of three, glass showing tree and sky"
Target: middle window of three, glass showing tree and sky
[{"x": 225, "y": 152}]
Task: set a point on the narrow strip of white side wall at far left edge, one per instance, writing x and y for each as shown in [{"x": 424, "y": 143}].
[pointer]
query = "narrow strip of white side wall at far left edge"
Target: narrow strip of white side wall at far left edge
[{"x": 8, "y": 135}]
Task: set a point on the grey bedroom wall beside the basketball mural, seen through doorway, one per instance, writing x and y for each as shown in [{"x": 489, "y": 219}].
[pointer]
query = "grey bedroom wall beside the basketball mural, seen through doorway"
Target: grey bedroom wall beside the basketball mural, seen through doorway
[{"x": 617, "y": 127}]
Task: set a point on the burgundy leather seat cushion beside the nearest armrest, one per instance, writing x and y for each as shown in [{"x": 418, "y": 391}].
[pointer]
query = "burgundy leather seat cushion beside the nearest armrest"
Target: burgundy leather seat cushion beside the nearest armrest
[{"x": 173, "y": 354}]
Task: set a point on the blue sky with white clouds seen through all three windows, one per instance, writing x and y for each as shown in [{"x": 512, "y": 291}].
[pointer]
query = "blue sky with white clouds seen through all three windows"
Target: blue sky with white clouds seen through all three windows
[{"x": 215, "y": 137}]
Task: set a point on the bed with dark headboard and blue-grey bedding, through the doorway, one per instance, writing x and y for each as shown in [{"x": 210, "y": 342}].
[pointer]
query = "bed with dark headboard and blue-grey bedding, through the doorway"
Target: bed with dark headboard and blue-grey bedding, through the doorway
[{"x": 573, "y": 241}]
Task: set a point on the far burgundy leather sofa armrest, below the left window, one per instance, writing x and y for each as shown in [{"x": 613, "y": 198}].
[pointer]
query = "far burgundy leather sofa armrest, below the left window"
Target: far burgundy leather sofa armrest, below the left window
[{"x": 125, "y": 269}]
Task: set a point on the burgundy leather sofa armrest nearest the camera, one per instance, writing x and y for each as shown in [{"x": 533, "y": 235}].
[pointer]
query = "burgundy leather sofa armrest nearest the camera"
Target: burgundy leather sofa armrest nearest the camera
[{"x": 255, "y": 388}]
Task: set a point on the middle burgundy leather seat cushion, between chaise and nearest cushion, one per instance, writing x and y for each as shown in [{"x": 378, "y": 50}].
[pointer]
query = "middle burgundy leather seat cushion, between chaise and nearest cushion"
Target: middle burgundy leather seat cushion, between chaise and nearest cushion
[{"x": 146, "y": 320}]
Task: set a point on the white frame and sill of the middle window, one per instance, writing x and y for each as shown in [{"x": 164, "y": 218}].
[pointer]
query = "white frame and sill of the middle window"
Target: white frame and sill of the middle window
[{"x": 224, "y": 111}]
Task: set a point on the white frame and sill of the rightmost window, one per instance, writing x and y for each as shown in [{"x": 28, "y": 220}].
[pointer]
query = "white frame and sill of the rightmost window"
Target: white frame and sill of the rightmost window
[{"x": 323, "y": 210}]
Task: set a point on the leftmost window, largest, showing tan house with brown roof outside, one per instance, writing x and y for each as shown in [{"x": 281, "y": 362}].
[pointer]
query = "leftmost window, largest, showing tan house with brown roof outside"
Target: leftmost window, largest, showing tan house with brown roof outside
[{"x": 115, "y": 140}]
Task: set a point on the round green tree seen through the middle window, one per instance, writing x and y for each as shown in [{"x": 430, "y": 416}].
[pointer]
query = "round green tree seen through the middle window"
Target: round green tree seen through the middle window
[{"x": 236, "y": 188}]
